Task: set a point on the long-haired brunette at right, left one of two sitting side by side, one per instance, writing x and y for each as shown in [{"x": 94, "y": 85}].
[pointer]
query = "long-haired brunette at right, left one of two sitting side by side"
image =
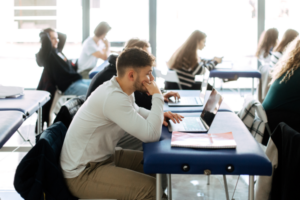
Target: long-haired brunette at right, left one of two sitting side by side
[{"x": 267, "y": 42}]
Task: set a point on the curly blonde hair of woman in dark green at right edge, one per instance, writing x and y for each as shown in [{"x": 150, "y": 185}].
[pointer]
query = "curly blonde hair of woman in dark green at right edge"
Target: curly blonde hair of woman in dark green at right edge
[{"x": 288, "y": 63}]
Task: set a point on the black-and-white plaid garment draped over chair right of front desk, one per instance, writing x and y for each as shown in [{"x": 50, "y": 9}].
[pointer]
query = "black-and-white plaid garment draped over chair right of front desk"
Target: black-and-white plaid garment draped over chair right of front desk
[{"x": 254, "y": 117}]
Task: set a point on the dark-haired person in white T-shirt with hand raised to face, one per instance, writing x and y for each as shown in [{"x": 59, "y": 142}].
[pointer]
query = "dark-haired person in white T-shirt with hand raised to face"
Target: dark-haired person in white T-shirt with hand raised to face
[{"x": 93, "y": 48}]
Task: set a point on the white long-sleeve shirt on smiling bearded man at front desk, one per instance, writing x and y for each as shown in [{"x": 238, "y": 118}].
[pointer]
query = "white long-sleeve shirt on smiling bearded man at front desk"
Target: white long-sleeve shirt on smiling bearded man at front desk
[{"x": 100, "y": 123}]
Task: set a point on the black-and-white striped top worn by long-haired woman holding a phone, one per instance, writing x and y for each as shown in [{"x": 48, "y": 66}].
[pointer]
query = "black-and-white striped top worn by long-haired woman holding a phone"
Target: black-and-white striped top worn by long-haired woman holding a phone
[{"x": 187, "y": 77}]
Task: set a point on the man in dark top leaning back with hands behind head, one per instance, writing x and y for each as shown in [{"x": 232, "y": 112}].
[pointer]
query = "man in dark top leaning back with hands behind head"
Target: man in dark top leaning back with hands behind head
[{"x": 57, "y": 65}]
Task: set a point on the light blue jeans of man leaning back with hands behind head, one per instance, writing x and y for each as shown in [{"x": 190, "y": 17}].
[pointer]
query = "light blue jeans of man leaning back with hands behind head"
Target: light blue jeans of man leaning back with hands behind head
[{"x": 78, "y": 88}]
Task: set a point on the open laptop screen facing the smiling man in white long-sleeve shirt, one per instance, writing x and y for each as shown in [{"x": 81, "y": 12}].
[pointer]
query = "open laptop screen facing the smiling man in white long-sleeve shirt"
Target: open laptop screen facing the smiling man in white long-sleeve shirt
[{"x": 211, "y": 108}]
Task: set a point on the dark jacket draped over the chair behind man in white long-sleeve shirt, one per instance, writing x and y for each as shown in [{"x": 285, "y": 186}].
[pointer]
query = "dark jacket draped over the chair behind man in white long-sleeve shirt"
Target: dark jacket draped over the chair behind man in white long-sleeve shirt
[{"x": 39, "y": 171}]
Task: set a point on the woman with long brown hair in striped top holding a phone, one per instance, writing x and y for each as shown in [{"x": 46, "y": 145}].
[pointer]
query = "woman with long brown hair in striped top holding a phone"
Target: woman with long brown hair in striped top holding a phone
[{"x": 187, "y": 64}]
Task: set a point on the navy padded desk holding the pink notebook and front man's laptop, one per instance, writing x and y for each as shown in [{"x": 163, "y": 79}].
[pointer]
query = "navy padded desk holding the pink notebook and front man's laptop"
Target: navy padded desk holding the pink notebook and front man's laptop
[{"x": 247, "y": 158}]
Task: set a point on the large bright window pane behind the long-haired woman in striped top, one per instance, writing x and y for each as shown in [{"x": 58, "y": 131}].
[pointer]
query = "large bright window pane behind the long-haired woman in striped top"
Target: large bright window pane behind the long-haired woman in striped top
[{"x": 230, "y": 26}]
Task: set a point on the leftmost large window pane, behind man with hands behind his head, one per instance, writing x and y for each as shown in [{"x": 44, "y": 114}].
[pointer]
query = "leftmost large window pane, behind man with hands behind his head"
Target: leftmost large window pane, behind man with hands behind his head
[{"x": 22, "y": 21}]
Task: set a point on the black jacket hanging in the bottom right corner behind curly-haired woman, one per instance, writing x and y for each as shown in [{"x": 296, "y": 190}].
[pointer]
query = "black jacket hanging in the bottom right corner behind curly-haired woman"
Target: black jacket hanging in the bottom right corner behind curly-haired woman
[{"x": 285, "y": 183}]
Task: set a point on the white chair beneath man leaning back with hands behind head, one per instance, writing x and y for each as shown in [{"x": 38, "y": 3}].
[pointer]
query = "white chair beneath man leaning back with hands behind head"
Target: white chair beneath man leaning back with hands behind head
[{"x": 58, "y": 100}]
